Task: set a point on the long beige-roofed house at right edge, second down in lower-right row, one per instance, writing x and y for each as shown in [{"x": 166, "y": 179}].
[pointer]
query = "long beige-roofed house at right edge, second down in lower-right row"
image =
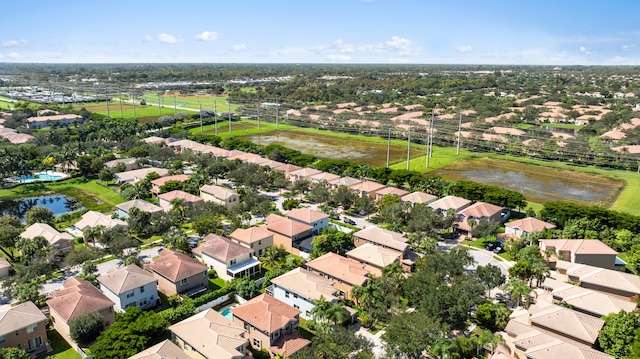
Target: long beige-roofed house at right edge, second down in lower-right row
[{"x": 609, "y": 281}]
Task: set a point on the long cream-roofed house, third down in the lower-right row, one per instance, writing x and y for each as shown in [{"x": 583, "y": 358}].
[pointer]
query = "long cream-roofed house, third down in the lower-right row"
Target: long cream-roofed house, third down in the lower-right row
[{"x": 585, "y": 300}]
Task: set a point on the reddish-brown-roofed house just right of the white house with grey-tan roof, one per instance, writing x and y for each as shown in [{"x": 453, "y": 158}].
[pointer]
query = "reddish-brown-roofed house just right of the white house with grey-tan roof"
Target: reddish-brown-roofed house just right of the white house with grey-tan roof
[{"x": 178, "y": 273}]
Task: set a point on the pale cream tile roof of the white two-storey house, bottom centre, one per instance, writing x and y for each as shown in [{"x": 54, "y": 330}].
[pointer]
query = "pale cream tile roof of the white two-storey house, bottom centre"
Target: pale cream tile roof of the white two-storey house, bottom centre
[{"x": 306, "y": 284}]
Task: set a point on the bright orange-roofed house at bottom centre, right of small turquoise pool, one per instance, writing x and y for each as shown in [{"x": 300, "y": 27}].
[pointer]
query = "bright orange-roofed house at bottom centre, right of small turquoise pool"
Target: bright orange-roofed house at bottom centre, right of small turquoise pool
[{"x": 271, "y": 325}]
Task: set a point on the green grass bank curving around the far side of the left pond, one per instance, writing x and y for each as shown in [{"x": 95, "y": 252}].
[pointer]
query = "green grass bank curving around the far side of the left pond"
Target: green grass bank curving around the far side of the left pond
[{"x": 91, "y": 195}]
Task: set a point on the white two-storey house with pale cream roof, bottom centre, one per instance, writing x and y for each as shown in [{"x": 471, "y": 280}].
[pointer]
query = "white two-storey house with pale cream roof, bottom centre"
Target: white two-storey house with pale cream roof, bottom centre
[{"x": 301, "y": 289}]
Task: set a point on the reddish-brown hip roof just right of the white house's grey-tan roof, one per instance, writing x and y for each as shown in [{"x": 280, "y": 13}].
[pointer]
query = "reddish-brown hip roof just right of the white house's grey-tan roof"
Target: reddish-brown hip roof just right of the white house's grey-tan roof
[{"x": 176, "y": 266}]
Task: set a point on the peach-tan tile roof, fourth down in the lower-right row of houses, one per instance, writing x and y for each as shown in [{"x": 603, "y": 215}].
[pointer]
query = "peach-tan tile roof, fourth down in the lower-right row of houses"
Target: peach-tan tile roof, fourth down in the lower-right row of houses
[{"x": 566, "y": 322}]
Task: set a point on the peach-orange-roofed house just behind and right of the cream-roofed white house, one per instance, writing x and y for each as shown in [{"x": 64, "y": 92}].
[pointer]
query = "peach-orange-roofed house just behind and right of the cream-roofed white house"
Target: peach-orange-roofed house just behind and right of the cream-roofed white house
[{"x": 345, "y": 273}]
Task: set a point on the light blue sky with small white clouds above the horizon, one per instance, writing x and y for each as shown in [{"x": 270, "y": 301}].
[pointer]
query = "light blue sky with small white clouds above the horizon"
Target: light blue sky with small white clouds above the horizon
[{"x": 559, "y": 32}]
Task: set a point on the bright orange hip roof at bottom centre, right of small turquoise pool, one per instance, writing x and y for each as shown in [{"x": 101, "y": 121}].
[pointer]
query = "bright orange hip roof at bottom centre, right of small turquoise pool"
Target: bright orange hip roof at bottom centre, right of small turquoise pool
[{"x": 266, "y": 313}]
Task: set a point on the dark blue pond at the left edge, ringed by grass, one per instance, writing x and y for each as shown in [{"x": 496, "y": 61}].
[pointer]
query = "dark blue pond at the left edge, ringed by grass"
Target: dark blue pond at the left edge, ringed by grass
[{"x": 58, "y": 204}]
